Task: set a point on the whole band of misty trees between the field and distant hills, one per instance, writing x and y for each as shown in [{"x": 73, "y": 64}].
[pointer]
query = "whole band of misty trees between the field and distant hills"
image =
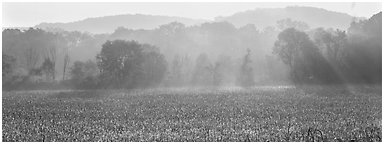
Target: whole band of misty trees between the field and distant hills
[{"x": 211, "y": 54}]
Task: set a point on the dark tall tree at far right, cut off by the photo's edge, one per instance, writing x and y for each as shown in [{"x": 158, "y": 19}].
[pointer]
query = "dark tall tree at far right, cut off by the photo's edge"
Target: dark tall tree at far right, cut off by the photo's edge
[{"x": 363, "y": 55}]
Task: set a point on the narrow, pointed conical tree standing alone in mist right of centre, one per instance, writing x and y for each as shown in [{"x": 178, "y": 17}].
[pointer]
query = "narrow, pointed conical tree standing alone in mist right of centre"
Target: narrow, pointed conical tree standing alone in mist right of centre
[{"x": 245, "y": 77}]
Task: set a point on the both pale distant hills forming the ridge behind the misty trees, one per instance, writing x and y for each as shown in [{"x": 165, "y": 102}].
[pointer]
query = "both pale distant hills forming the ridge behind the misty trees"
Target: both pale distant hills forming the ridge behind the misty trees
[{"x": 260, "y": 17}]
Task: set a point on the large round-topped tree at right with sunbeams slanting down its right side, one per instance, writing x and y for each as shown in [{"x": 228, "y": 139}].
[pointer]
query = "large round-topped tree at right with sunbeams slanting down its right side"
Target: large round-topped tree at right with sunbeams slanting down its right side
[{"x": 304, "y": 59}]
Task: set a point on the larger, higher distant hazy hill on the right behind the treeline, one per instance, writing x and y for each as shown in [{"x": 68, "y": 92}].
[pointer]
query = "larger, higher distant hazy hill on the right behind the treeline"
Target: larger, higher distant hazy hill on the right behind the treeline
[{"x": 314, "y": 17}]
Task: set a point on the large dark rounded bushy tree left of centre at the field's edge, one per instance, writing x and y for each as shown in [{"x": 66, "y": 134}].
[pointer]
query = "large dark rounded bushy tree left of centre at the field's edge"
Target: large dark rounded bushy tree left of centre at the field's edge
[{"x": 119, "y": 63}]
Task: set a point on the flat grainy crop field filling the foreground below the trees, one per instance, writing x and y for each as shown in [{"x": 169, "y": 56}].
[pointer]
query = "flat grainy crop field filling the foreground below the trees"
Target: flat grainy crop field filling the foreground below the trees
[{"x": 199, "y": 114}]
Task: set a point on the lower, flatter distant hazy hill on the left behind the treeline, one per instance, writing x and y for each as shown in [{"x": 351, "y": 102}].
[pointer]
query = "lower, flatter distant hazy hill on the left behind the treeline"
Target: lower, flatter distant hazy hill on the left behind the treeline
[{"x": 108, "y": 24}]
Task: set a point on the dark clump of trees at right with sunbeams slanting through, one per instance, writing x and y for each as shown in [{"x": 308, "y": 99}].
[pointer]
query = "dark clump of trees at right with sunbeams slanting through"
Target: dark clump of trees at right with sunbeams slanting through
[{"x": 333, "y": 56}]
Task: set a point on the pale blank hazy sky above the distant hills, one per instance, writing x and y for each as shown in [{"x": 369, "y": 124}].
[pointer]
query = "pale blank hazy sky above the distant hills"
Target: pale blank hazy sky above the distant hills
[{"x": 31, "y": 14}]
